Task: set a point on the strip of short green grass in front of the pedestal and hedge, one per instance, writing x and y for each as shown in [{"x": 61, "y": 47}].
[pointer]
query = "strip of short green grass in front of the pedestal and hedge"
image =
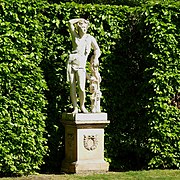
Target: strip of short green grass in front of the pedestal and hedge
[{"x": 130, "y": 175}]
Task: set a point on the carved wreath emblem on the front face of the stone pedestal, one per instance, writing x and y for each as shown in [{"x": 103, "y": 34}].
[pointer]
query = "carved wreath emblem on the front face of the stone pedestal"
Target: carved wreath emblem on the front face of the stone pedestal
[{"x": 90, "y": 142}]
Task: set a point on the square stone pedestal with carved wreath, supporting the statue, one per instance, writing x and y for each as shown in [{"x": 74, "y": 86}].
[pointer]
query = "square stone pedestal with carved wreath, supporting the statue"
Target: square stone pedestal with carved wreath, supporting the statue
[{"x": 84, "y": 142}]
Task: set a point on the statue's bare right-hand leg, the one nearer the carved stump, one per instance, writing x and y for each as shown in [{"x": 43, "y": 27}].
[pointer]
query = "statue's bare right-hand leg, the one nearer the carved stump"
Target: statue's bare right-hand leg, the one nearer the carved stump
[{"x": 81, "y": 76}]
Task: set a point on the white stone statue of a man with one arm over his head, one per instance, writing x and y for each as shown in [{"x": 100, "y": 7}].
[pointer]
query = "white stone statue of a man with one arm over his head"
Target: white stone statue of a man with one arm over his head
[{"x": 76, "y": 66}]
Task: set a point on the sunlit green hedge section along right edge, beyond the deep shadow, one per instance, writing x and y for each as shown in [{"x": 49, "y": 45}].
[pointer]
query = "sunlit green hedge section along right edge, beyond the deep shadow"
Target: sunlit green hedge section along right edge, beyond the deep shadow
[{"x": 164, "y": 45}]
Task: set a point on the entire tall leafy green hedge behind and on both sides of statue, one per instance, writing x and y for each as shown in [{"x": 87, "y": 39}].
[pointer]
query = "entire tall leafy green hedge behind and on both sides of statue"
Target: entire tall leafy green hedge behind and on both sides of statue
[{"x": 139, "y": 66}]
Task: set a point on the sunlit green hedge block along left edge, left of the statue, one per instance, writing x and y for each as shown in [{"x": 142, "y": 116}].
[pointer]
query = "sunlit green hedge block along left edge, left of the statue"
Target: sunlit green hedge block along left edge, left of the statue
[{"x": 22, "y": 99}]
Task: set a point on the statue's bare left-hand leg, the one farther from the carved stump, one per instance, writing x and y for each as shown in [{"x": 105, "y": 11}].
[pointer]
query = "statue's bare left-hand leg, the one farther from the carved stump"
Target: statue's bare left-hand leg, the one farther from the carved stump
[{"x": 72, "y": 79}]
